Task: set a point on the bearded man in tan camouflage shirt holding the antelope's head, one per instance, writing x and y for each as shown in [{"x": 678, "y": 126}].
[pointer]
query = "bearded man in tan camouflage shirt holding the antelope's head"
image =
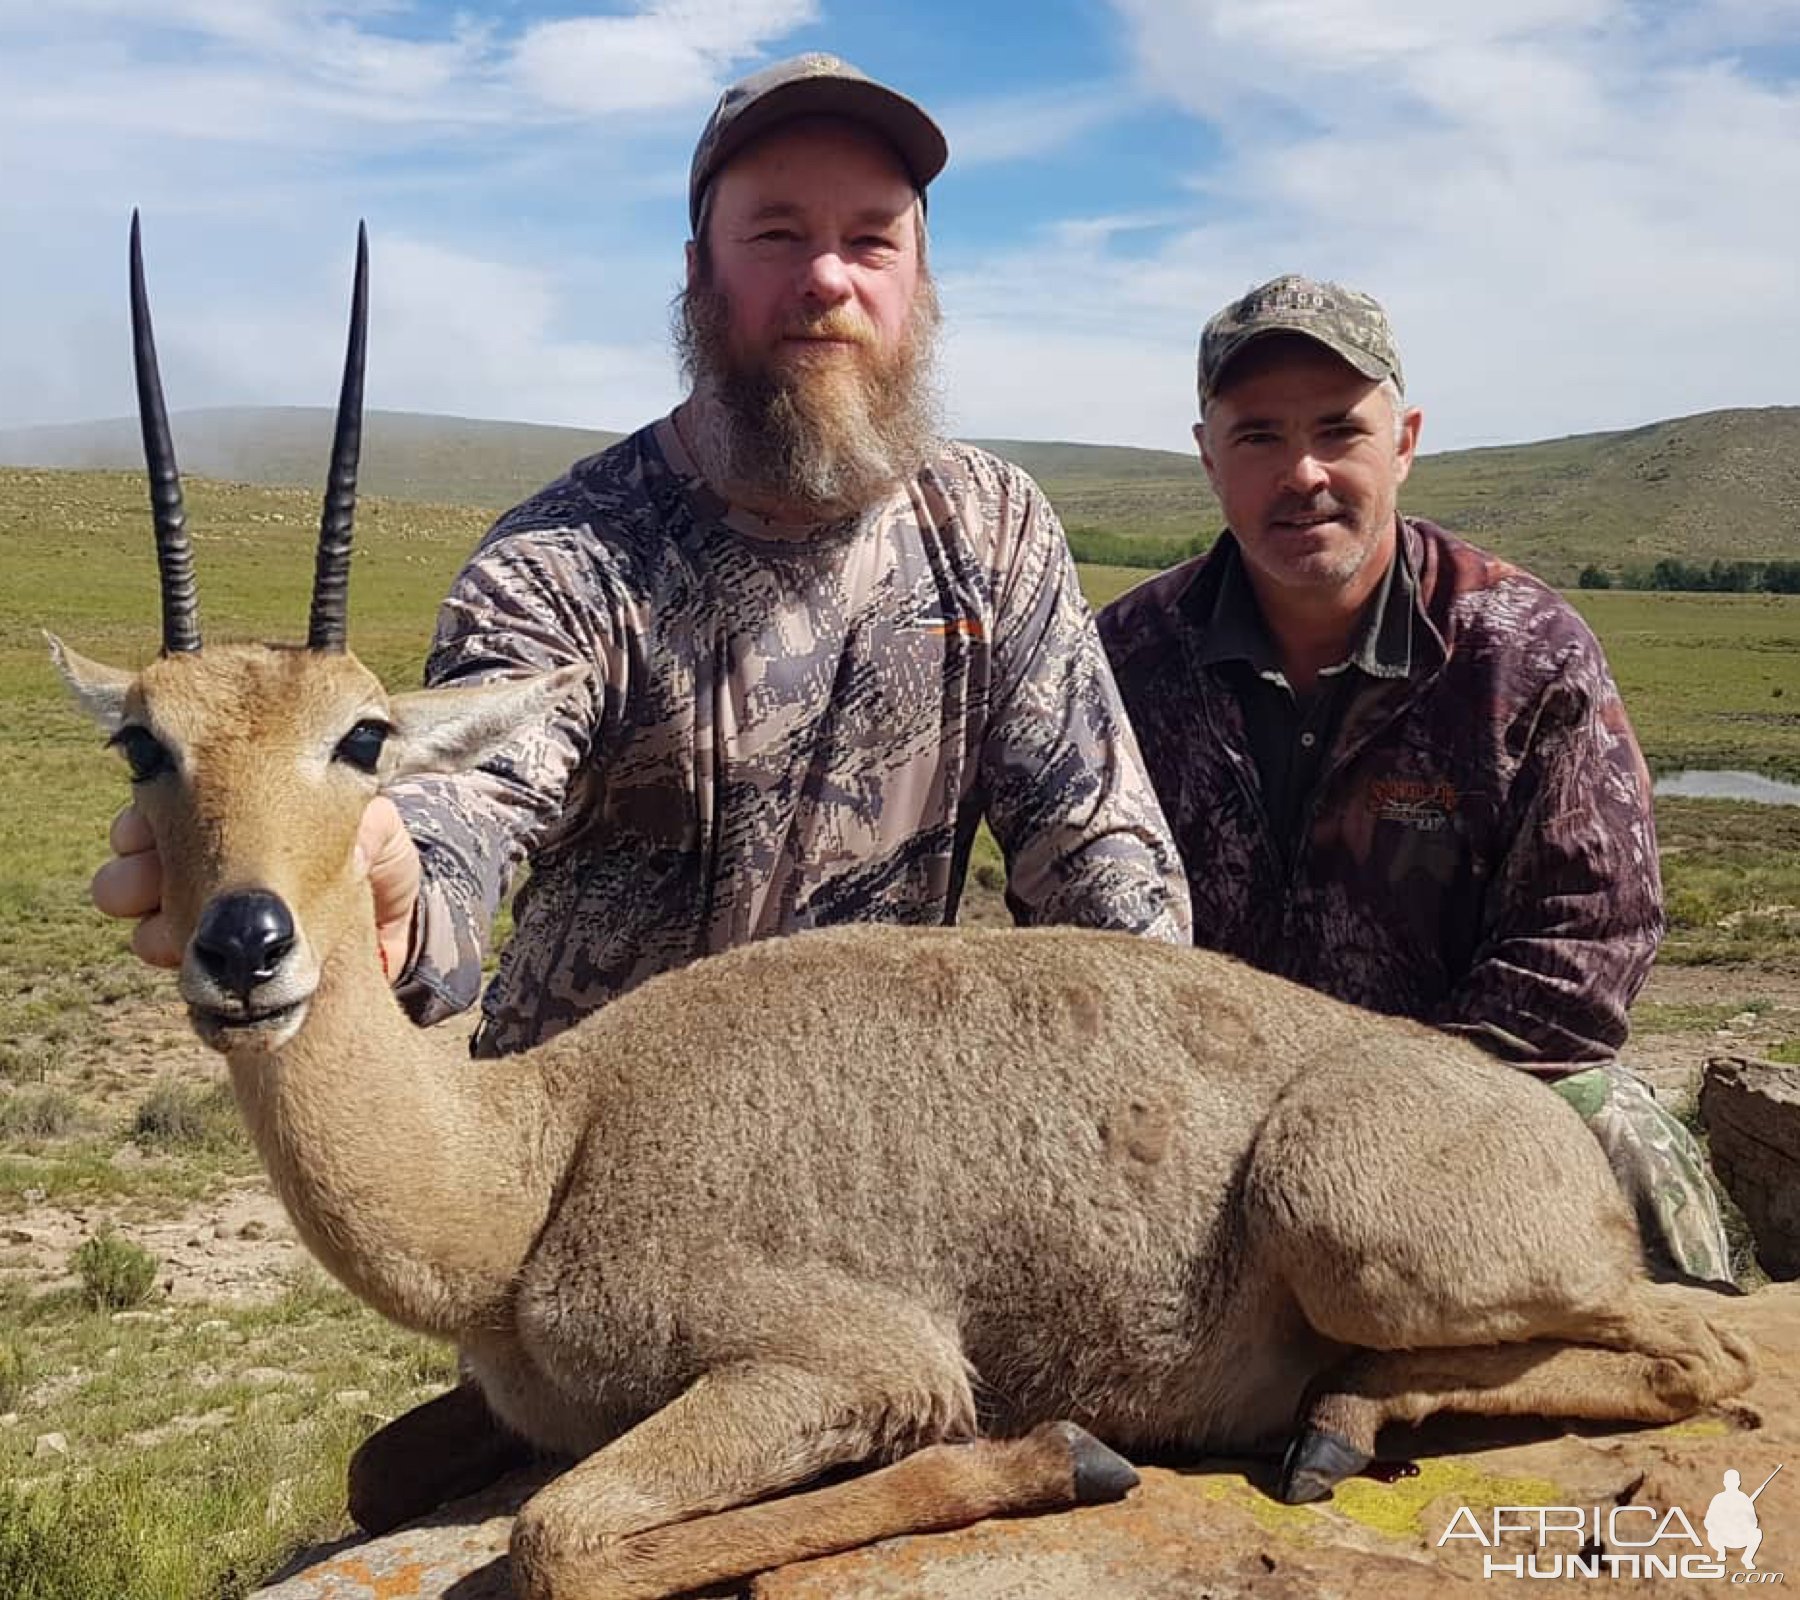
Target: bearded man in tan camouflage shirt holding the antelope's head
[{"x": 823, "y": 643}]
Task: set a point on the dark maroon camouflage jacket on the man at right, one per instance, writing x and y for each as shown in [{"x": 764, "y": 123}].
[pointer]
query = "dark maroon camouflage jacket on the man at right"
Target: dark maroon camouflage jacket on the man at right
[{"x": 1479, "y": 850}]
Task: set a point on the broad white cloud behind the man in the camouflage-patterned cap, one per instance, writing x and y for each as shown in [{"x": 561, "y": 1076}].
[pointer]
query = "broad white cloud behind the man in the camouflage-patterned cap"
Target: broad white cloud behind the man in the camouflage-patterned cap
[{"x": 1572, "y": 224}]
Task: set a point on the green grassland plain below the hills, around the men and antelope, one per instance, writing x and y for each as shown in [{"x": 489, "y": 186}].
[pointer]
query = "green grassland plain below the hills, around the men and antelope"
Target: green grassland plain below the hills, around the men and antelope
[{"x": 159, "y": 1495}]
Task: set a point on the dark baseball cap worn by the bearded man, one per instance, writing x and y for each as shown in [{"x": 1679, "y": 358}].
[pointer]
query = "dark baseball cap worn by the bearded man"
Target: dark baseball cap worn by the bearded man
[{"x": 814, "y": 85}]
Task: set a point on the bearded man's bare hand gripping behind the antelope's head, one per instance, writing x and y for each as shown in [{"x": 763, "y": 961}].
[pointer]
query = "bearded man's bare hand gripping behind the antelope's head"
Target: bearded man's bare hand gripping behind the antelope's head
[{"x": 130, "y": 885}]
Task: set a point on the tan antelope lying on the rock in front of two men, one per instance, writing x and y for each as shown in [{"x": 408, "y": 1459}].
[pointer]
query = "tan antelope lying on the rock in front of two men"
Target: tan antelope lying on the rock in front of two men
[{"x": 969, "y": 1203}]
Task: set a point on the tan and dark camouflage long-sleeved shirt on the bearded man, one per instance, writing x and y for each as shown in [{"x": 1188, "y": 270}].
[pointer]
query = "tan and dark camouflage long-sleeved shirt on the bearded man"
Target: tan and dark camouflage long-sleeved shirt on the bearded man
[{"x": 786, "y": 728}]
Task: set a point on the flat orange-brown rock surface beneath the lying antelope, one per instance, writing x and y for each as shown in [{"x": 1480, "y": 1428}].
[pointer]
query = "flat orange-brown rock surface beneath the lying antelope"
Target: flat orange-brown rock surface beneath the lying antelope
[{"x": 1212, "y": 1531}]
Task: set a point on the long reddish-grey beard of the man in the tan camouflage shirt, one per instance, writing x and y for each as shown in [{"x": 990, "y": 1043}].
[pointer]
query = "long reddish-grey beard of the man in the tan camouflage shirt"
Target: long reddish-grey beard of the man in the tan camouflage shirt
[{"x": 829, "y": 436}]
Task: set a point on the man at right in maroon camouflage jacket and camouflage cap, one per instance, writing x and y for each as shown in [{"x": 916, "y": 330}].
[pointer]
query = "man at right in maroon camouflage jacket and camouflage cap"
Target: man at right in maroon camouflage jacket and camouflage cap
[{"x": 1396, "y": 766}]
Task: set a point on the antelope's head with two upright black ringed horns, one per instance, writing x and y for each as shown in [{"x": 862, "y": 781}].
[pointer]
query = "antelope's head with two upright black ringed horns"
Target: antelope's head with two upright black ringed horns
[{"x": 253, "y": 764}]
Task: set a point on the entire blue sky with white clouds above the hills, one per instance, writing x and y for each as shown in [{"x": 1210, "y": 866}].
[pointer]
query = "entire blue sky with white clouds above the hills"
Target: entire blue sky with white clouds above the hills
[{"x": 1579, "y": 213}]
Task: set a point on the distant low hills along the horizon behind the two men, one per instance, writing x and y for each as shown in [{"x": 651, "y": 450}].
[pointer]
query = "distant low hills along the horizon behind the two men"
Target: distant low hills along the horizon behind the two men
[{"x": 1714, "y": 487}]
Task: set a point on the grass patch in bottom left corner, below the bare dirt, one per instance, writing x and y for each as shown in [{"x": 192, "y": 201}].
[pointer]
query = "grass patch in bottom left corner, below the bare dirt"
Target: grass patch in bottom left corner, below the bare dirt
[{"x": 174, "y": 1453}]
